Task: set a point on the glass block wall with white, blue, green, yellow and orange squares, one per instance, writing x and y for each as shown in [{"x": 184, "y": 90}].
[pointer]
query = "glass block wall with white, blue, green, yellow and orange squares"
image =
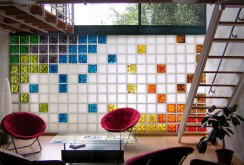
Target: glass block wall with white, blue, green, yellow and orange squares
[{"x": 72, "y": 81}]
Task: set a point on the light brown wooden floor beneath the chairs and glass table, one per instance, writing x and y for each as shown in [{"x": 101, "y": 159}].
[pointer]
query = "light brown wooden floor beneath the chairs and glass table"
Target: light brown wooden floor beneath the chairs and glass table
[{"x": 144, "y": 144}]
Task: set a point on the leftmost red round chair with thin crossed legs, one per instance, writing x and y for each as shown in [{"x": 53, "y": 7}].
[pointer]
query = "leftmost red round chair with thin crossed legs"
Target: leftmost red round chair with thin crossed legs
[{"x": 25, "y": 126}]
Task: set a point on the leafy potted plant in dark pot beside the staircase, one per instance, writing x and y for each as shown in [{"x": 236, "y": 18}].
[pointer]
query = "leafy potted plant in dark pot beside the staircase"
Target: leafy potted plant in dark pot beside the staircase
[{"x": 220, "y": 120}]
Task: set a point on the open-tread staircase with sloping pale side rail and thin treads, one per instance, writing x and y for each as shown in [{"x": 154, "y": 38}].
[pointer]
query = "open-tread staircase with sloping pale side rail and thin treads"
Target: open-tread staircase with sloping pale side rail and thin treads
[{"x": 219, "y": 77}]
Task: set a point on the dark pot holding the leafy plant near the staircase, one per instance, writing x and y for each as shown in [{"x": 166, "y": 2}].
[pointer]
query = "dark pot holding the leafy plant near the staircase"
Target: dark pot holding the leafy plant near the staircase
[{"x": 224, "y": 156}]
